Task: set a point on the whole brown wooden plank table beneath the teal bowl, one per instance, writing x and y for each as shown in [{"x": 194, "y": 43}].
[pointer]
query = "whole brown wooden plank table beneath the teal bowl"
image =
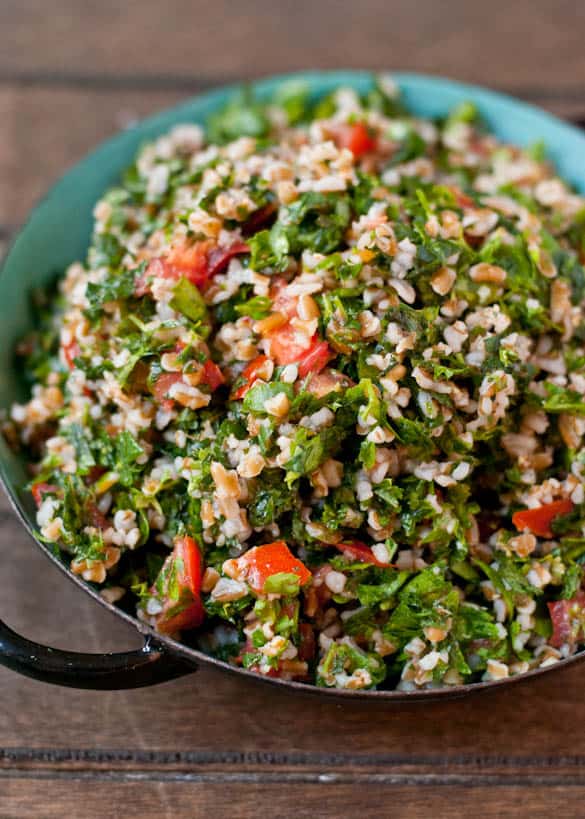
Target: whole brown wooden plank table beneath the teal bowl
[{"x": 211, "y": 745}]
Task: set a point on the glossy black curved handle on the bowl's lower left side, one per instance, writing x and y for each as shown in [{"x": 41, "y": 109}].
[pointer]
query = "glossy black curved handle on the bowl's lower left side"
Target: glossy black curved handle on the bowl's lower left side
[{"x": 145, "y": 666}]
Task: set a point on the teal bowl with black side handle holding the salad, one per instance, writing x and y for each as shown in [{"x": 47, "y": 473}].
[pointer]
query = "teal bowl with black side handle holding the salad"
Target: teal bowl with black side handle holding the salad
[{"x": 58, "y": 231}]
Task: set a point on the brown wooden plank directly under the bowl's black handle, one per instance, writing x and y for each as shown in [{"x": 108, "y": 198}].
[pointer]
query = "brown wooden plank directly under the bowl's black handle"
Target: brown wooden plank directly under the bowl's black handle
[{"x": 219, "y": 713}]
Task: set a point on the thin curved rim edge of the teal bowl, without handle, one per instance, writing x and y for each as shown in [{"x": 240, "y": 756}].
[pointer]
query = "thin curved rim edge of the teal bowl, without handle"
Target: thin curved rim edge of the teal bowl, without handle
[{"x": 149, "y": 127}]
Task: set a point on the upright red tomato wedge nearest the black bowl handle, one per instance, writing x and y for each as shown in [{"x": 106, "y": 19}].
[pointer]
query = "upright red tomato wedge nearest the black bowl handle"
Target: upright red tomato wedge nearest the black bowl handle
[{"x": 182, "y": 571}]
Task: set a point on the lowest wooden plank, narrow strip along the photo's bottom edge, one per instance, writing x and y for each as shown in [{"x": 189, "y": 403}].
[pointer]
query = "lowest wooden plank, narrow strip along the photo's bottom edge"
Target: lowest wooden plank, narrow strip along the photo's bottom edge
[{"x": 21, "y": 798}]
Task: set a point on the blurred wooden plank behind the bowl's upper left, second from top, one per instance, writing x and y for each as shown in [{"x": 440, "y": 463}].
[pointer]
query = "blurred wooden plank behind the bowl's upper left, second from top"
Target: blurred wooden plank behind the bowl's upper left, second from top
[{"x": 43, "y": 131}]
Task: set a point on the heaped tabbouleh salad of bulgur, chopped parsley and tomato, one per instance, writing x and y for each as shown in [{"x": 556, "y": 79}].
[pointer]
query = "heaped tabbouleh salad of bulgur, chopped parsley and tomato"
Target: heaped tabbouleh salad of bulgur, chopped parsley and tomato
[{"x": 318, "y": 389}]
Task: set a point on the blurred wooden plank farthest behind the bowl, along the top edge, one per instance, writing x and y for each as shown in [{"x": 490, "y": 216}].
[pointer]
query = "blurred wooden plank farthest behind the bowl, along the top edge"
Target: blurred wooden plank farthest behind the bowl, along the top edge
[{"x": 501, "y": 44}]
